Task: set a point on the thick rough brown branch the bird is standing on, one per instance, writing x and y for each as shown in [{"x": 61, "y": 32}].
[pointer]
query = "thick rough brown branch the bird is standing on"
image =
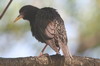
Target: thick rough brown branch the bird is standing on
[{"x": 54, "y": 60}]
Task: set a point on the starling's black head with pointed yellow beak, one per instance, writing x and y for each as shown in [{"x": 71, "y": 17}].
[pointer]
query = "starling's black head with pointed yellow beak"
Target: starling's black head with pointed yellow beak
[{"x": 27, "y": 12}]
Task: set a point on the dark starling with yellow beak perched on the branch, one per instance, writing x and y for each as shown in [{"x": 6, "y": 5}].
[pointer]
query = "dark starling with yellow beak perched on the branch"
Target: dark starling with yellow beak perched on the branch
[{"x": 47, "y": 27}]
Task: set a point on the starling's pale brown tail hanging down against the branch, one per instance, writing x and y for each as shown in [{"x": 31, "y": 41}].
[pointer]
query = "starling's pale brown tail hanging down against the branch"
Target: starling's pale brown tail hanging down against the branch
[{"x": 65, "y": 50}]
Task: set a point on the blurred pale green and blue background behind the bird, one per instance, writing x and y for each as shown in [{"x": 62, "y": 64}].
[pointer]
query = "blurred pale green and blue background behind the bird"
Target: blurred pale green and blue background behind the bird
[{"x": 82, "y": 21}]
